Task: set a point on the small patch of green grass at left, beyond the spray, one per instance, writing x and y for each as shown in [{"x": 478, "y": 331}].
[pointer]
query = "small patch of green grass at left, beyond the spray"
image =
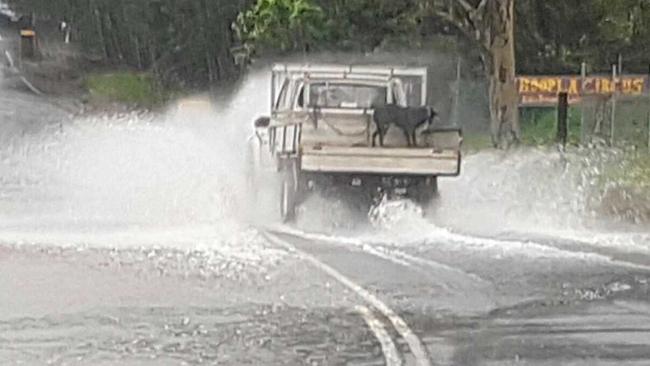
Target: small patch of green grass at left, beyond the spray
[{"x": 139, "y": 89}]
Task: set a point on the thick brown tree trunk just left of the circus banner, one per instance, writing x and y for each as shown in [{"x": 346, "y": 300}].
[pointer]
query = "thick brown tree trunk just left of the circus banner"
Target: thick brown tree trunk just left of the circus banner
[{"x": 501, "y": 68}]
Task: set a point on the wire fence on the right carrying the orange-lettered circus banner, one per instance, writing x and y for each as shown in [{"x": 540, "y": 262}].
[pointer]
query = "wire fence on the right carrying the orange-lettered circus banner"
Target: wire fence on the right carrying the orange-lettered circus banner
[{"x": 612, "y": 109}]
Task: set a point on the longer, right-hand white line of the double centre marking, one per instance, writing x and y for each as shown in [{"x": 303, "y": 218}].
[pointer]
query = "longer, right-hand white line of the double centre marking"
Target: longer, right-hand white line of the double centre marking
[{"x": 414, "y": 343}]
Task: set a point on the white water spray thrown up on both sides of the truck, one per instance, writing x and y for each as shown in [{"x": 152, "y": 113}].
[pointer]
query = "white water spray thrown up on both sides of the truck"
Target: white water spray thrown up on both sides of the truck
[{"x": 181, "y": 180}]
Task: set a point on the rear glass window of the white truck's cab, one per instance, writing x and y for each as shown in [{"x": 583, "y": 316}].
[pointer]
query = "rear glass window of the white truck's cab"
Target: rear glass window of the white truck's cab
[{"x": 336, "y": 95}]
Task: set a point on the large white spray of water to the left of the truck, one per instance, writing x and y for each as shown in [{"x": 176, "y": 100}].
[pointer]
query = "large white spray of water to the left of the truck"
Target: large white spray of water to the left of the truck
[{"x": 136, "y": 179}]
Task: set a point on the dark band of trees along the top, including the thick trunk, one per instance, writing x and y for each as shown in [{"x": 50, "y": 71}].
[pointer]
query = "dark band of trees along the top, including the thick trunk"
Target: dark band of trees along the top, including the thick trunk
[{"x": 202, "y": 42}]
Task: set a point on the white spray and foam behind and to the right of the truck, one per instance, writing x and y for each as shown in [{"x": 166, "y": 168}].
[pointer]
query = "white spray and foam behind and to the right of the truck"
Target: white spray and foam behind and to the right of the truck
[{"x": 538, "y": 194}]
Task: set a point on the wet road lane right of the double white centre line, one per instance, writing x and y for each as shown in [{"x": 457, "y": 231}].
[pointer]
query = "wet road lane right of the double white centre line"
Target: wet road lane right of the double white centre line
[{"x": 483, "y": 302}]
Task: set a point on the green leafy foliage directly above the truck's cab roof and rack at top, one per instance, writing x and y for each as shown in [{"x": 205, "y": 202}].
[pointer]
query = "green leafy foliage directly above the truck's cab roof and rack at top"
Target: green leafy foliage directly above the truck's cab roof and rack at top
[{"x": 300, "y": 25}]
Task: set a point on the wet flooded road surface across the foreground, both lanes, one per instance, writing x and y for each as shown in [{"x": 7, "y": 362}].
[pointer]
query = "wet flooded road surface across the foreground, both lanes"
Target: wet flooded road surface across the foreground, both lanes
[{"x": 327, "y": 300}]
